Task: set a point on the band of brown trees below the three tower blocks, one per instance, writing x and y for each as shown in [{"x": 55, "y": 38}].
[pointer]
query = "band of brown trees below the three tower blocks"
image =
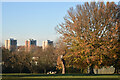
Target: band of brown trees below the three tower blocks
[{"x": 26, "y": 62}]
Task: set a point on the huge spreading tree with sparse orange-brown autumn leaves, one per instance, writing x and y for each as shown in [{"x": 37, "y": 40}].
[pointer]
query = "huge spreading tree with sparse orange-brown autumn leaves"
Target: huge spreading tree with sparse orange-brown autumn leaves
[{"x": 88, "y": 29}]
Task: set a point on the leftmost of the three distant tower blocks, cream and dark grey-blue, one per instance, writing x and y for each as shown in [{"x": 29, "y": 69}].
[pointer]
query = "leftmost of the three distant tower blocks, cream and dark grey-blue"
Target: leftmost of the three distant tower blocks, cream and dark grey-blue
[{"x": 11, "y": 44}]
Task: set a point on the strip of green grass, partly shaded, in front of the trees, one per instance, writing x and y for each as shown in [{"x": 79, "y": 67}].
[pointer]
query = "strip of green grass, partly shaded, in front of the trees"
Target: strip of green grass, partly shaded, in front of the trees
[{"x": 24, "y": 76}]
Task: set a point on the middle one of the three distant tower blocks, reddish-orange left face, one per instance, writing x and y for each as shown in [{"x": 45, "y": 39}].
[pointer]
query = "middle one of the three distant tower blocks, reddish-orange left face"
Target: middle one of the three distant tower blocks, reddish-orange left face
[{"x": 30, "y": 44}]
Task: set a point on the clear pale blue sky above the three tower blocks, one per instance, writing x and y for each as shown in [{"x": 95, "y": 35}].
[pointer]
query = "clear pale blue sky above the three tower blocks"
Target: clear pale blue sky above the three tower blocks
[{"x": 37, "y": 20}]
